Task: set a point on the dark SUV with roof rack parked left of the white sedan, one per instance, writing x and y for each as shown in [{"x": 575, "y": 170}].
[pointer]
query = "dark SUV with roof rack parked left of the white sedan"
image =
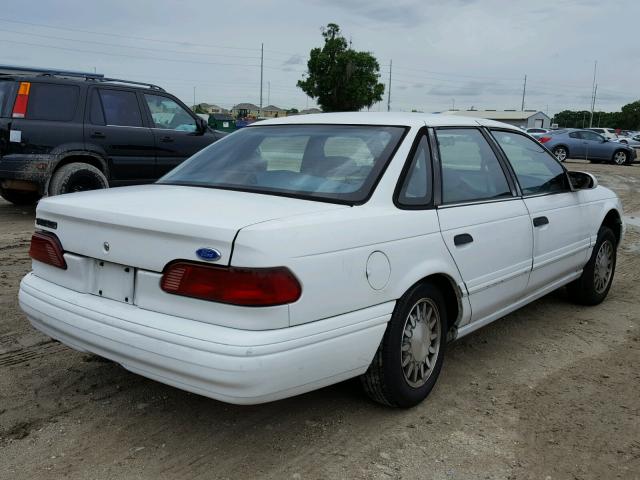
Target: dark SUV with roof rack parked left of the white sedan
[{"x": 65, "y": 131}]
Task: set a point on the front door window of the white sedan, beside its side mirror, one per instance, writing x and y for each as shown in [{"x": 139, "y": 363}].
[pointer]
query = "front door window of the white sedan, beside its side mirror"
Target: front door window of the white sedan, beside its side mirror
[{"x": 537, "y": 171}]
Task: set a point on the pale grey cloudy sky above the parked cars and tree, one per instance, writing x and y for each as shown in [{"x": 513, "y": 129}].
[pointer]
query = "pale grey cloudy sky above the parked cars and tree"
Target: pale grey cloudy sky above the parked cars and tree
[{"x": 454, "y": 54}]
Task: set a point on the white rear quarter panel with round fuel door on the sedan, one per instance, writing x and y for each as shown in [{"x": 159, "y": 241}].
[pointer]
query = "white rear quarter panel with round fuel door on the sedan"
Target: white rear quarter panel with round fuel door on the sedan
[{"x": 329, "y": 254}]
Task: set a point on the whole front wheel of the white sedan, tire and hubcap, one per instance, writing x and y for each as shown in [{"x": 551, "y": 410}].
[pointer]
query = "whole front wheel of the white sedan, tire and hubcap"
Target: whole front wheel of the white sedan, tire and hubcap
[{"x": 593, "y": 285}]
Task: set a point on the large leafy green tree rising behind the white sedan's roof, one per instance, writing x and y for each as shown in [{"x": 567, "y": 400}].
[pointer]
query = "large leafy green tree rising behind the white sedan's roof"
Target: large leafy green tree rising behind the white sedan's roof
[{"x": 340, "y": 78}]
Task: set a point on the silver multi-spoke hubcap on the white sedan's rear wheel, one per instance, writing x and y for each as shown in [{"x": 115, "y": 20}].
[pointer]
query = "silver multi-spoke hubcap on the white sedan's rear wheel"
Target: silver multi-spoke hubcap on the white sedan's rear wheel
[{"x": 420, "y": 342}]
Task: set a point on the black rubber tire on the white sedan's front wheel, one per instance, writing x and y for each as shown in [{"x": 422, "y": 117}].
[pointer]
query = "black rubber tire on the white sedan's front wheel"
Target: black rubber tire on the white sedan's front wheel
[{"x": 585, "y": 289}]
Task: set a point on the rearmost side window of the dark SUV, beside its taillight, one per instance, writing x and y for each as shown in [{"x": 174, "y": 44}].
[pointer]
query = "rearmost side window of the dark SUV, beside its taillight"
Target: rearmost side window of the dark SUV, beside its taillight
[{"x": 48, "y": 101}]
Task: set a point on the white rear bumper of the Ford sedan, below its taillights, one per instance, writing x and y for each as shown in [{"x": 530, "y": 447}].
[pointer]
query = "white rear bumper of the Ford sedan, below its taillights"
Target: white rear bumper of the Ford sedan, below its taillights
[{"x": 231, "y": 365}]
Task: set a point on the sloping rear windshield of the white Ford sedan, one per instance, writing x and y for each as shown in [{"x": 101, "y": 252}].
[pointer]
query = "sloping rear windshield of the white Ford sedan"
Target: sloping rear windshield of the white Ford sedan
[{"x": 330, "y": 162}]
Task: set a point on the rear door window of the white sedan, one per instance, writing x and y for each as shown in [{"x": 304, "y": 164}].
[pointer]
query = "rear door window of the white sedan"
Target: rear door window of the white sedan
[{"x": 470, "y": 169}]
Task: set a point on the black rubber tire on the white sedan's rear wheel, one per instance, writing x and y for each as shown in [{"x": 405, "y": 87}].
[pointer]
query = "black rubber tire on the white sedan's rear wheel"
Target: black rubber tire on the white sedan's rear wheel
[{"x": 386, "y": 380}]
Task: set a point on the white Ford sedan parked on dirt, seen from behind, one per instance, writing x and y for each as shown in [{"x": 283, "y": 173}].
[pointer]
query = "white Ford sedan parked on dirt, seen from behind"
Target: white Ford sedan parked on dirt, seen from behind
[{"x": 300, "y": 252}]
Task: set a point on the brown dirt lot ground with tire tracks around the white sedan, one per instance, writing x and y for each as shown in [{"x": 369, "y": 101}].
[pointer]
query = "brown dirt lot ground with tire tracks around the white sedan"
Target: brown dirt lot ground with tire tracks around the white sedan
[{"x": 549, "y": 392}]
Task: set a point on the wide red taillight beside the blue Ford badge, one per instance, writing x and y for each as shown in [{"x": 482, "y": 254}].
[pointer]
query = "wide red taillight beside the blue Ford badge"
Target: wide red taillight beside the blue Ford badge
[{"x": 250, "y": 287}]
